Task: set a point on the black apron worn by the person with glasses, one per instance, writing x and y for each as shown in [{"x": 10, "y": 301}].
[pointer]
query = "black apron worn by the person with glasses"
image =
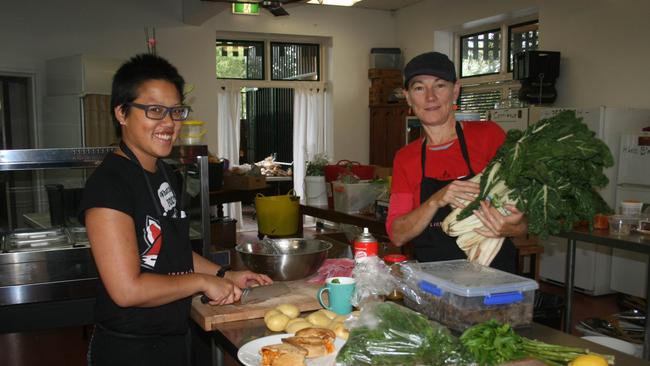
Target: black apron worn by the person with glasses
[{"x": 113, "y": 348}]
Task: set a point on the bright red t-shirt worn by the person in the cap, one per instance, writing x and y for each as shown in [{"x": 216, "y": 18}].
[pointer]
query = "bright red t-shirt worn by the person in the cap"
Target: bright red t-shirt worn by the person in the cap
[{"x": 483, "y": 139}]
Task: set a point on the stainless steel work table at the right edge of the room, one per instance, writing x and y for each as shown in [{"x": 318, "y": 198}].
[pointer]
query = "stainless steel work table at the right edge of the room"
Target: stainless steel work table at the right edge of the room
[{"x": 634, "y": 242}]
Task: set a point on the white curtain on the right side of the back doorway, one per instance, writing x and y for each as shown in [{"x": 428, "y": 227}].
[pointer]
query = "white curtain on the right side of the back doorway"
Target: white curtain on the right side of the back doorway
[{"x": 309, "y": 132}]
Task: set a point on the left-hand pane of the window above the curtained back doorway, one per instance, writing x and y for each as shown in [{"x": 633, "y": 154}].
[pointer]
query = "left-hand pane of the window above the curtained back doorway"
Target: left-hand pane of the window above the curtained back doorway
[{"x": 240, "y": 60}]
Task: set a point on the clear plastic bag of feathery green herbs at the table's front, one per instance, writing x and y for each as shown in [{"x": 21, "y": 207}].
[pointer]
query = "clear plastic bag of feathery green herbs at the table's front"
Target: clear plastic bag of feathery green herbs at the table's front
[{"x": 390, "y": 334}]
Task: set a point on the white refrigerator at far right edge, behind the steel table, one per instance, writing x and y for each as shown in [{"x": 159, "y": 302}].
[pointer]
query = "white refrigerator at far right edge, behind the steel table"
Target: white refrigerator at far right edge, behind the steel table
[{"x": 629, "y": 269}]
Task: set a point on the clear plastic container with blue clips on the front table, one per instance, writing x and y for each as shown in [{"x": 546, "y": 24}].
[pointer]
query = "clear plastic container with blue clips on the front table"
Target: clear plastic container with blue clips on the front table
[{"x": 460, "y": 294}]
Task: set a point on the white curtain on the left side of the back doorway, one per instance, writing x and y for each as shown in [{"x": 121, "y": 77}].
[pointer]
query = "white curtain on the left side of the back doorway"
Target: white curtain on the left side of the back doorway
[{"x": 228, "y": 121}]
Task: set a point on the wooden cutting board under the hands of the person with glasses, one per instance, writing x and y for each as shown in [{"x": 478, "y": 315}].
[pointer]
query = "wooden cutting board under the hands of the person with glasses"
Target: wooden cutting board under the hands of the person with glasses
[{"x": 303, "y": 295}]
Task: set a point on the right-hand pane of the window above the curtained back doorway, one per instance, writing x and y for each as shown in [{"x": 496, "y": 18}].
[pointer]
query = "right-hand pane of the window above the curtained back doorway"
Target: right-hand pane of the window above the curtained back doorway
[{"x": 295, "y": 61}]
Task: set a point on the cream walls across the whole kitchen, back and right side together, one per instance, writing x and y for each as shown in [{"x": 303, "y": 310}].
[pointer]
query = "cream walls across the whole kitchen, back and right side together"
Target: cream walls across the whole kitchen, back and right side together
[{"x": 604, "y": 45}]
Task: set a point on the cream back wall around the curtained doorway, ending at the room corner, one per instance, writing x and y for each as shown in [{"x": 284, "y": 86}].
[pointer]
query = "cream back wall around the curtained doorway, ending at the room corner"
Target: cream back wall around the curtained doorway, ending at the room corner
[{"x": 33, "y": 31}]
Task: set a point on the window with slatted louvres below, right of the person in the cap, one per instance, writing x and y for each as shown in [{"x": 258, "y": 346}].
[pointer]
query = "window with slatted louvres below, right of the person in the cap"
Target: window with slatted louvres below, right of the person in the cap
[{"x": 485, "y": 71}]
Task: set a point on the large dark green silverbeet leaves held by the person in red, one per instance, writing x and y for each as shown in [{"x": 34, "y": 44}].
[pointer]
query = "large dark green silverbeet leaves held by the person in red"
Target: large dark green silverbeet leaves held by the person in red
[{"x": 551, "y": 170}]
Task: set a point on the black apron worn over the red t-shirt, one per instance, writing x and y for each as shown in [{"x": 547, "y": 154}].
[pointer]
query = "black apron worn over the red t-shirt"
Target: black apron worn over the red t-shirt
[{"x": 433, "y": 244}]
